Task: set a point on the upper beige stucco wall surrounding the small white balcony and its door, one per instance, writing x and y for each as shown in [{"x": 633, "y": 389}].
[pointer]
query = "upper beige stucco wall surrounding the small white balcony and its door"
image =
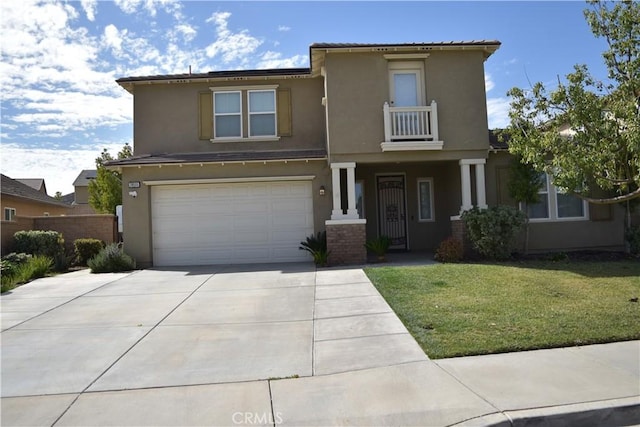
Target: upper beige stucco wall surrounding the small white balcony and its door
[{"x": 358, "y": 86}]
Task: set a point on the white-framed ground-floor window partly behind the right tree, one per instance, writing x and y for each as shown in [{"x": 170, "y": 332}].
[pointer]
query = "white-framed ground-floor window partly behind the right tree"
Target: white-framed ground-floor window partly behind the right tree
[{"x": 555, "y": 204}]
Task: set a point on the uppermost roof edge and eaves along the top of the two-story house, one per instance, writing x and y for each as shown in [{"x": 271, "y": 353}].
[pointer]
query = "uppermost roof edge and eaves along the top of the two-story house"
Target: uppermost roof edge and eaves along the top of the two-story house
[{"x": 316, "y": 52}]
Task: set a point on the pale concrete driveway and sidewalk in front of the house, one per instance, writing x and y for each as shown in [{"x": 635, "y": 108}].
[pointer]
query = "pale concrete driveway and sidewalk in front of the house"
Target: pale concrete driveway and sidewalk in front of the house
[{"x": 267, "y": 345}]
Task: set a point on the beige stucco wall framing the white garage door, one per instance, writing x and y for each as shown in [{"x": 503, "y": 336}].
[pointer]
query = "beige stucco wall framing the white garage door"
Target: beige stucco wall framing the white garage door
[{"x": 137, "y": 211}]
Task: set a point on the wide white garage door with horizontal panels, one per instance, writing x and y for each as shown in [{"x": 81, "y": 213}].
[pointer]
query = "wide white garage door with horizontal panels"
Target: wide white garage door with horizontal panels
[{"x": 231, "y": 223}]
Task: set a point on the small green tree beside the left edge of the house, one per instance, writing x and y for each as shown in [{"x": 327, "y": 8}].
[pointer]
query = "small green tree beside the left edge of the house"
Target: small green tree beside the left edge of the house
[{"x": 105, "y": 191}]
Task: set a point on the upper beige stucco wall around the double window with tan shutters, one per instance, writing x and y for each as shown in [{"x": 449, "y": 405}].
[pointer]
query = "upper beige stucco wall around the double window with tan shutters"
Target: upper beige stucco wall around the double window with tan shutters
[{"x": 166, "y": 118}]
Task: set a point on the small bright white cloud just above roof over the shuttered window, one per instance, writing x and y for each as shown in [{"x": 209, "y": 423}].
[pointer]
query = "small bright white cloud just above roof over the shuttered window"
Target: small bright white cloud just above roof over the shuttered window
[{"x": 229, "y": 45}]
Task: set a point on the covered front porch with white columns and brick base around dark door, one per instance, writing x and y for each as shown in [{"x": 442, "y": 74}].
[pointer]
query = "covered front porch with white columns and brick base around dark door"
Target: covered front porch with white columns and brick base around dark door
[{"x": 416, "y": 204}]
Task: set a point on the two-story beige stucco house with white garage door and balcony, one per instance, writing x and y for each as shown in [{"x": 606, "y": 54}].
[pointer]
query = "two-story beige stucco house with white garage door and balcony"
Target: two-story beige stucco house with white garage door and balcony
[{"x": 240, "y": 166}]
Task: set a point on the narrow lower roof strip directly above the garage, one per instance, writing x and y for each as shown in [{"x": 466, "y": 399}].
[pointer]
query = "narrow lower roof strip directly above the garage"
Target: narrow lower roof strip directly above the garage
[{"x": 230, "y": 157}]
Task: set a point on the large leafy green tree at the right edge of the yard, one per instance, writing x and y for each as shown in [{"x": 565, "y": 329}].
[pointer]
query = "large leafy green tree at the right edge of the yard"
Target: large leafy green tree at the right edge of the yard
[{"x": 586, "y": 132}]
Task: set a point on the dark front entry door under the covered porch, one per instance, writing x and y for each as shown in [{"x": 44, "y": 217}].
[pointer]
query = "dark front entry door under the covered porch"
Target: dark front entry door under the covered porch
[{"x": 392, "y": 210}]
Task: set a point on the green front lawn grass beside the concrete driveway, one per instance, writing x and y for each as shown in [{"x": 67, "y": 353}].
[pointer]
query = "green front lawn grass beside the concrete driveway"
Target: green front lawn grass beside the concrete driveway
[{"x": 469, "y": 309}]
